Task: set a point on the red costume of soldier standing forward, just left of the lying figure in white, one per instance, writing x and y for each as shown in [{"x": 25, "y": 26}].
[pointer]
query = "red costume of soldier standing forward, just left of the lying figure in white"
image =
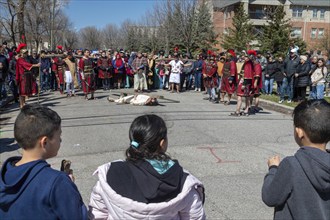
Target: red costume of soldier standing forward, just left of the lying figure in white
[{"x": 87, "y": 75}]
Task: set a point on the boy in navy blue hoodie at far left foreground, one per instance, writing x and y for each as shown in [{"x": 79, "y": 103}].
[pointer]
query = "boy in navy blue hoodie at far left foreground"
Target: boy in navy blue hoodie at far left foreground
[{"x": 29, "y": 187}]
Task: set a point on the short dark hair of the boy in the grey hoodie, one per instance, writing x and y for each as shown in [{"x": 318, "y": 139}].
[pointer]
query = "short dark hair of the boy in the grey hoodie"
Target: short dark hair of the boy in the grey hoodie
[{"x": 313, "y": 117}]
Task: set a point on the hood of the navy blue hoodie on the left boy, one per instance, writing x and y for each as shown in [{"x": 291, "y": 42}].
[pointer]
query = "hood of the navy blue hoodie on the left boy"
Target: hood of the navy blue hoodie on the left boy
[{"x": 14, "y": 180}]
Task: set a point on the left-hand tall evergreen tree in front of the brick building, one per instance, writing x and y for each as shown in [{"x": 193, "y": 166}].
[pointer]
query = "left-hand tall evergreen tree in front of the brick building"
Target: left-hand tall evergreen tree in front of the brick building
[{"x": 242, "y": 34}]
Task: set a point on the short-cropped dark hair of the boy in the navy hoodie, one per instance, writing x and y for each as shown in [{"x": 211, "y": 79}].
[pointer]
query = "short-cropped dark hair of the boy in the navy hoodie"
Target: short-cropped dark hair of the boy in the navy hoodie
[{"x": 33, "y": 122}]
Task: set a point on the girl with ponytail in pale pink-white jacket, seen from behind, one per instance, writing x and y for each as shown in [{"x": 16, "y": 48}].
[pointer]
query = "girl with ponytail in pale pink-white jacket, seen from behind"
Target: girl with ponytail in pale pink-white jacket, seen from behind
[{"x": 148, "y": 184}]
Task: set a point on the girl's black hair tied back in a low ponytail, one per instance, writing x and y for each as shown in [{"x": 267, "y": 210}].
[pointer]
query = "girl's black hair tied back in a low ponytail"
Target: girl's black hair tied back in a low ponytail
[{"x": 147, "y": 131}]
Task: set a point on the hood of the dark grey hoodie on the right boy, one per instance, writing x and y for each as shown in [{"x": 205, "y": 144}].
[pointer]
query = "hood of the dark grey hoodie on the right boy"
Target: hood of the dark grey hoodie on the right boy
[{"x": 316, "y": 165}]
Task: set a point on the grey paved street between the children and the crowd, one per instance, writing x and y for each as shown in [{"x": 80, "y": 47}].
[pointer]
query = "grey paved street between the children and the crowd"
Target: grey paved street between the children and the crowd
[{"x": 227, "y": 154}]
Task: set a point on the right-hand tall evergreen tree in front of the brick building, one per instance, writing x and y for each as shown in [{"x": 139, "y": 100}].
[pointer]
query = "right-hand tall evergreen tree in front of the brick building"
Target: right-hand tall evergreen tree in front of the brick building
[{"x": 276, "y": 32}]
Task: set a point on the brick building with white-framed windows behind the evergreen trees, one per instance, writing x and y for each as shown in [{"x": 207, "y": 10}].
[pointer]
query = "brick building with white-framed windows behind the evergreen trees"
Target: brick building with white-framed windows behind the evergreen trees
[{"x": 310, "y": 19}]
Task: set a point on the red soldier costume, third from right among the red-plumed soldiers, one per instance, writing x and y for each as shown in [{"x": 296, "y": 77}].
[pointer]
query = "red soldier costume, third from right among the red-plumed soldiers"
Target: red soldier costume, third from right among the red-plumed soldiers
[{"x": 229, "y": 72}]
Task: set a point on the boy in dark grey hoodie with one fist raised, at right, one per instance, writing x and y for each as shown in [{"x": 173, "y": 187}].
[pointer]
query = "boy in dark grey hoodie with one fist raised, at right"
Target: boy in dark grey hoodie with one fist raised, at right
[{"x": 299, "y": 186}]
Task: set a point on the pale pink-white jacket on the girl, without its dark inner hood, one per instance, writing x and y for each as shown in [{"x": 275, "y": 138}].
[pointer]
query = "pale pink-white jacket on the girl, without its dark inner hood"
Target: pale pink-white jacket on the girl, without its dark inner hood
[{"x": 129, "y": 208}]
